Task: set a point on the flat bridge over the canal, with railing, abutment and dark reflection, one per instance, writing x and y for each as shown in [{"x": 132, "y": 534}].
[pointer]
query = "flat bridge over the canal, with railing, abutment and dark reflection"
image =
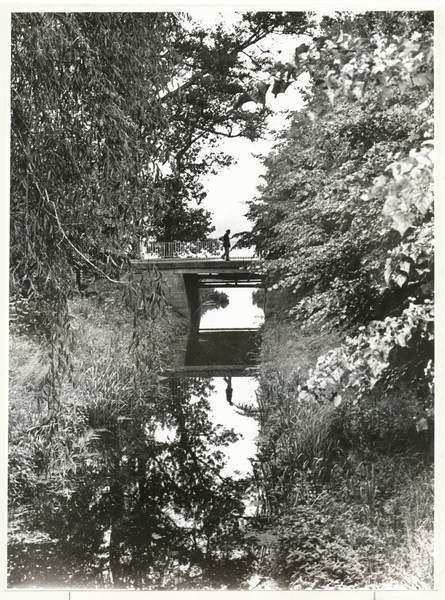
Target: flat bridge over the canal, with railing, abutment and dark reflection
[{"x": 186, "y": 268}]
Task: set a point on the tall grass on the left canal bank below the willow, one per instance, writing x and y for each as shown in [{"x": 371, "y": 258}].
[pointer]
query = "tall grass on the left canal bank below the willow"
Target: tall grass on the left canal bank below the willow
[{"x": 103, "y": 387}]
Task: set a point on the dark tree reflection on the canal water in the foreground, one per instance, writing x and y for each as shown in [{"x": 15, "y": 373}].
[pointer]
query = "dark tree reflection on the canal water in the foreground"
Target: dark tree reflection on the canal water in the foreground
[{"x": 137, "y": 511}]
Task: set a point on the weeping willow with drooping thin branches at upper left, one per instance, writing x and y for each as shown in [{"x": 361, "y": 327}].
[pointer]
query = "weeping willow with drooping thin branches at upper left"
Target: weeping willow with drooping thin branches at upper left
[{"x": 86, "y": 123}]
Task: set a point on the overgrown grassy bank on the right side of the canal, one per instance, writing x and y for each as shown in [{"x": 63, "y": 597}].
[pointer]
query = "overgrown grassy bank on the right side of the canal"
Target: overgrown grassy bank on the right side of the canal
[{"x": 347, "y": 492}]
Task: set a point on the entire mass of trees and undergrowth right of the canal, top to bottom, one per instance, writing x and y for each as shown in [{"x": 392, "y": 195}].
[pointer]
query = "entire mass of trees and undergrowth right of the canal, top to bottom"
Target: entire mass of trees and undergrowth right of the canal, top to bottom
[{"x": 344, "y": 223}]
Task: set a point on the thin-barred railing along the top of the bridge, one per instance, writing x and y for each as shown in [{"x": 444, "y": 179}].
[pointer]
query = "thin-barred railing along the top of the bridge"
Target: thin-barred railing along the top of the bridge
[{"x": 212, "y": 248}]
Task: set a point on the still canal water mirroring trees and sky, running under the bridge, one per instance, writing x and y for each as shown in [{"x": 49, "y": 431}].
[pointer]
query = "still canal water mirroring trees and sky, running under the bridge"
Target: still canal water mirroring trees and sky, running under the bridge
[{"x": 144, "y": 515}]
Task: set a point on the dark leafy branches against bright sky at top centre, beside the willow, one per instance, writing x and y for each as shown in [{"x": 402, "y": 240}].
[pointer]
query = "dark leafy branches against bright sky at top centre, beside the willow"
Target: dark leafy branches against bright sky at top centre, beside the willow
[{"x": 225, "y": 63}]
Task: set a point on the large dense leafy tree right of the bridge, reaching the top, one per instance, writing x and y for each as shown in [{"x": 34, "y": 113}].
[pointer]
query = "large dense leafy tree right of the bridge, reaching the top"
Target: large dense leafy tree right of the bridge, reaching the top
[{"x": 322, "y": 220}]
